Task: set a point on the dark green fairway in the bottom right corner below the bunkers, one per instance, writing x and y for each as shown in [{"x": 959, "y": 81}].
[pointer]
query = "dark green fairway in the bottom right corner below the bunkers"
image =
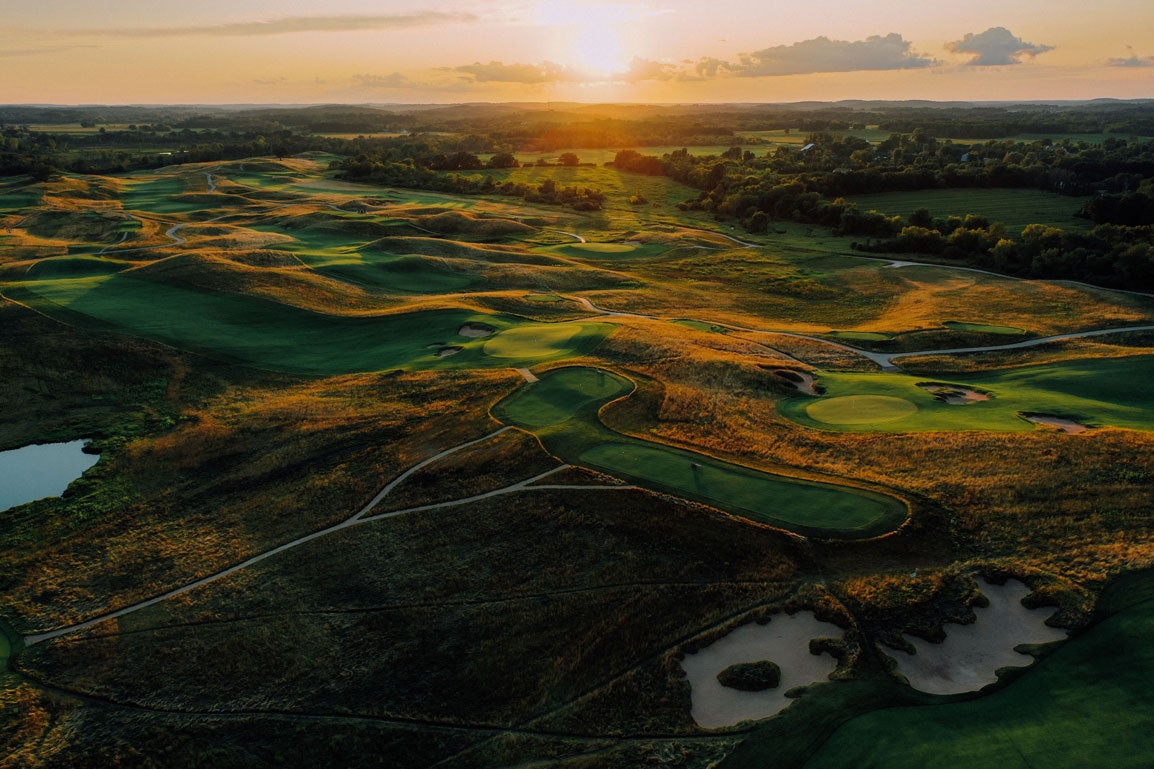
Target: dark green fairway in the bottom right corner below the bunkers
[{"x": 1086, "y": 705}]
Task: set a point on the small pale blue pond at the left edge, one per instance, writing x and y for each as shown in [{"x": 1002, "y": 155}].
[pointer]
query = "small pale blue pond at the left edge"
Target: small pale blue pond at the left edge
[{"x": 43, "y": 471}]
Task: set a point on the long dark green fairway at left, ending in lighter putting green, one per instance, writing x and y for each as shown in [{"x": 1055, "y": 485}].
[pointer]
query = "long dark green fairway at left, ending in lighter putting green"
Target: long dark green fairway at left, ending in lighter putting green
[{"x": 271, "y": 335}]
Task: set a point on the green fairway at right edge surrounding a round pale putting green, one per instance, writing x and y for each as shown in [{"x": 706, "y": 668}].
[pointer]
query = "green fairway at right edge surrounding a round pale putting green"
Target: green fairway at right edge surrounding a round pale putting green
[{"x": 1093, "y": 392}]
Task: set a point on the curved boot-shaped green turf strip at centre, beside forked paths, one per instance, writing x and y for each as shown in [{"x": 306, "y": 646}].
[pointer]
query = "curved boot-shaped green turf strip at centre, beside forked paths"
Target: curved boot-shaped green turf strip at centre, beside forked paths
[{"x": 563, "y": 409}]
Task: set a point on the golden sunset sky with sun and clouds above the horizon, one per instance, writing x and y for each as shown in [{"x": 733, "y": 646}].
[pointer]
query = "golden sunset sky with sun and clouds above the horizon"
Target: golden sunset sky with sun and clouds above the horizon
[{"x": 657, "y": 51}]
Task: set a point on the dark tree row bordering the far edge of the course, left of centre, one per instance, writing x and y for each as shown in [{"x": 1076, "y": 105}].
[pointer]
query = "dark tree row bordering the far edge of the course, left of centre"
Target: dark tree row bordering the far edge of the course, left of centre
[{"x": 411, "y": 175}]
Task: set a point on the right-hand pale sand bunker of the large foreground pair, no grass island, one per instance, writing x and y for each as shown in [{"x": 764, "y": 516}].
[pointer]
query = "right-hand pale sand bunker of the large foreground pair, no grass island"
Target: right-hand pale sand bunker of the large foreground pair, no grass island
[{"x": 971, "y": 654}]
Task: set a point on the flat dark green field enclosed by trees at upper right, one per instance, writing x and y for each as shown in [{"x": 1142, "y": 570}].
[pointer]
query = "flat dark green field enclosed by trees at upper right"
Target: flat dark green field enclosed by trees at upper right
[{"x": 1015, "y": 208}]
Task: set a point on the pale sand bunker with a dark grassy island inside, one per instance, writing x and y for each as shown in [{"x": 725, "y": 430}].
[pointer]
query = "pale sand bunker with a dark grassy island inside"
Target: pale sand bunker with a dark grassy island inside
[{"x": 785, "y": 641}]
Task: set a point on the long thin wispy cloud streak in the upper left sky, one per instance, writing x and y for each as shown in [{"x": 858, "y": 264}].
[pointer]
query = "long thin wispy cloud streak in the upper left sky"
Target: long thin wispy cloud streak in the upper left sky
[{"x": 284, "y": 26}]
